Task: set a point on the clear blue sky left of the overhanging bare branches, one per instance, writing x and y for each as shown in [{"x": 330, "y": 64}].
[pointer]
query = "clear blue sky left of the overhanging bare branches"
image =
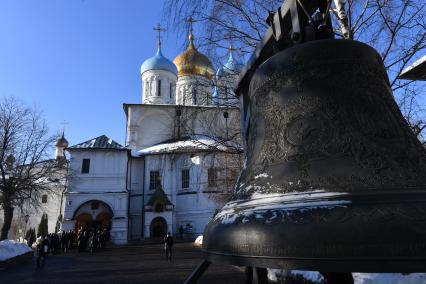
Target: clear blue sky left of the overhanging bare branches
[{"x": 78, "y": 60}]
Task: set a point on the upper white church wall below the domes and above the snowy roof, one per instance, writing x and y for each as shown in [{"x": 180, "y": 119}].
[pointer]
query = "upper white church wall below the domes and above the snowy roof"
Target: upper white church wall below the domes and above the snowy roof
[{"x": 148, "y": 125}]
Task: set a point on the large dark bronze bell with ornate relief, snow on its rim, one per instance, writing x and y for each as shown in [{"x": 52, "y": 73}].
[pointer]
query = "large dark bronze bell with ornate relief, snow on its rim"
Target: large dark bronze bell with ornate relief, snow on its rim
[{"x": 334, "y": 178}]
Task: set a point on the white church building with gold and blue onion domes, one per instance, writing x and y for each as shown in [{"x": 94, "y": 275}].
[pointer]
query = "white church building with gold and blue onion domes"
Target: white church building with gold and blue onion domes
[{"x": 181, "y": 157}]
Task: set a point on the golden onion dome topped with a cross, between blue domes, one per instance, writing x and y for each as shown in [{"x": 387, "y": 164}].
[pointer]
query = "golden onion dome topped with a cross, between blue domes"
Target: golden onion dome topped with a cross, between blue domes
[{"x": 192, "y": 62}]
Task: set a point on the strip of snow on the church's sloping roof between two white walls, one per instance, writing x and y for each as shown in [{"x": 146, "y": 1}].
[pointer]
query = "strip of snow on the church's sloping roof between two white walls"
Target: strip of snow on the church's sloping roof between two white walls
[{"x": 190, "y": 143}]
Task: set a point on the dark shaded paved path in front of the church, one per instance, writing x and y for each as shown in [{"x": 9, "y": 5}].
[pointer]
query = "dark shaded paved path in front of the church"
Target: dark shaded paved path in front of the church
[{"x": 129, "y": 264}]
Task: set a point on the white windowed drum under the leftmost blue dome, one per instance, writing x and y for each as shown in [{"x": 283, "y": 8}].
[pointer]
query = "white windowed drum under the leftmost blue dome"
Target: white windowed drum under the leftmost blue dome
[{"x": 150, "y": 81}]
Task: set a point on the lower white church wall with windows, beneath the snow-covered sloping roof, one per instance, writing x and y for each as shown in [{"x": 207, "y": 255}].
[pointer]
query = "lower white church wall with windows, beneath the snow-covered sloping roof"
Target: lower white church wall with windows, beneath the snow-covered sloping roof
[{"x": 194, "y": 205}]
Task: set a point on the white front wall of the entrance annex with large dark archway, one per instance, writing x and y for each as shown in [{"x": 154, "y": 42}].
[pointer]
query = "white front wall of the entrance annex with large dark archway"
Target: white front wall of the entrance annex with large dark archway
[{"x": 106, "y": 182}]
